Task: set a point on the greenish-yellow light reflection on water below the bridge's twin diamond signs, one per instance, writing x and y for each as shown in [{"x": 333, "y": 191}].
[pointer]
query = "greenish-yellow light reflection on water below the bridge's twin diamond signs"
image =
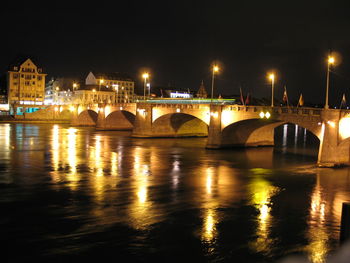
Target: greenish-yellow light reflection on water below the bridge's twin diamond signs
[{"x": 261, "y": 192}]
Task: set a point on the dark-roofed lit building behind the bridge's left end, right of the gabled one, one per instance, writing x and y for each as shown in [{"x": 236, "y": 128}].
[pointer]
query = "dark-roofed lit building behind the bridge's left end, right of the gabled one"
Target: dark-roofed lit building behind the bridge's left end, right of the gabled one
[{"x": 121, "y": 84}]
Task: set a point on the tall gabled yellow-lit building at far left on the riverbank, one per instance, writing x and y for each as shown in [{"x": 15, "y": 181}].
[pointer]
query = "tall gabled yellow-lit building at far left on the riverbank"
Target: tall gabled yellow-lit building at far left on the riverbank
[{"x": 25, "y": 87}]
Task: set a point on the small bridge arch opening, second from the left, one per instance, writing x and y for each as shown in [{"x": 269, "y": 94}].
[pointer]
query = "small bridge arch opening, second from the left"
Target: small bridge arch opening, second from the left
[{"x": 120, "y": 120}]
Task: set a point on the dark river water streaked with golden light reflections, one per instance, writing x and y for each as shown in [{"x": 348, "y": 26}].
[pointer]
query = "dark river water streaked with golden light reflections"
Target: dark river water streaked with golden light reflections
[{"x": 74, "y": 194}]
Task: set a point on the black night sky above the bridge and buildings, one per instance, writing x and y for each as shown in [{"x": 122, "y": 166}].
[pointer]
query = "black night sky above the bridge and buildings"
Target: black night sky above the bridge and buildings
[{"x": 178, "y": 40}]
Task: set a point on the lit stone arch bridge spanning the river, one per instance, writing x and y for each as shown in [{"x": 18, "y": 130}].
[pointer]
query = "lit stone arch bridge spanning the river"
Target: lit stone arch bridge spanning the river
[{"x": 225, "y": 125}]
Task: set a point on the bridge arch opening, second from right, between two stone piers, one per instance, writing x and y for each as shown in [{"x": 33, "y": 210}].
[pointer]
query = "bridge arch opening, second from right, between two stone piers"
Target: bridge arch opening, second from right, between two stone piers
[{"x": 179, "y": 125}]
